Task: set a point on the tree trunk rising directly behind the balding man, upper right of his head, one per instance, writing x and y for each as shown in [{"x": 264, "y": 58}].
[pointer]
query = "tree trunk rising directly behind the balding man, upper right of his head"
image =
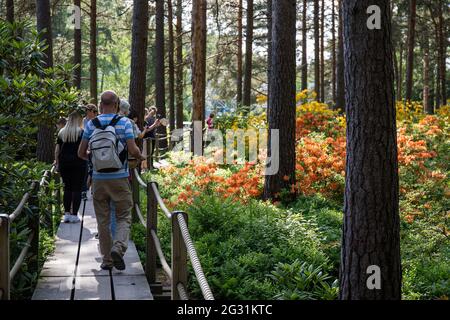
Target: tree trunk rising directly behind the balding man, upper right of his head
[{"x": 139, "y": 41}]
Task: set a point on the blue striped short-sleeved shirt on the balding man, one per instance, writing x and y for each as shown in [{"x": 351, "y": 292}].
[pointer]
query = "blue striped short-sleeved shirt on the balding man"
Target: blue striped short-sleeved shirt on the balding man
[{"x": 124, "y": 130}]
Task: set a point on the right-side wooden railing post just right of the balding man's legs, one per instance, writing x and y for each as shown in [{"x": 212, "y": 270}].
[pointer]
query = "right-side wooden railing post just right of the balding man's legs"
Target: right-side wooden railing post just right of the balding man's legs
[{"x": 152, "y": 223}]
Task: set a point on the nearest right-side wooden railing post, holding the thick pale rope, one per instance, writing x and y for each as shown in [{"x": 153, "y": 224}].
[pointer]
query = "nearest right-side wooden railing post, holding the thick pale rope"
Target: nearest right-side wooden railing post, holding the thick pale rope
[{"x": 179, "y": 256}]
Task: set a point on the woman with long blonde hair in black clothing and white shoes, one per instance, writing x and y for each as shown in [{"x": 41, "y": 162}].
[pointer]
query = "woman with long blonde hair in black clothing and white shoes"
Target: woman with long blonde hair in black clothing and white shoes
[{"x": 71, "y": 168}]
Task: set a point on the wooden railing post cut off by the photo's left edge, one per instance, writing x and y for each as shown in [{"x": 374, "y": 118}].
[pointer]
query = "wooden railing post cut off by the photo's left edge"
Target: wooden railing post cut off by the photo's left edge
[{"x": 4, "y": 257}]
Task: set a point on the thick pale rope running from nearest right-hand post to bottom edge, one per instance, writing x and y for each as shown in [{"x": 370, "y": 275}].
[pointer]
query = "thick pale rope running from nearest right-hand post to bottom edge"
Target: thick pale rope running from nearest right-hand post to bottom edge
[{"x": 204, "y": 286}]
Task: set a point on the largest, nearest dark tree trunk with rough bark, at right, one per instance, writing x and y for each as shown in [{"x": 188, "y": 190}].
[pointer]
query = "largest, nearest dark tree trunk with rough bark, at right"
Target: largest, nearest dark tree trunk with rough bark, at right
[{"x": 371, "y": 239}]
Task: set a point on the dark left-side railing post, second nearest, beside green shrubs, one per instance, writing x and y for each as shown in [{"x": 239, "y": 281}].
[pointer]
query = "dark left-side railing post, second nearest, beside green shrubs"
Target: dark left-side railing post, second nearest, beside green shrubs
[{"x": 33, "y": 225}]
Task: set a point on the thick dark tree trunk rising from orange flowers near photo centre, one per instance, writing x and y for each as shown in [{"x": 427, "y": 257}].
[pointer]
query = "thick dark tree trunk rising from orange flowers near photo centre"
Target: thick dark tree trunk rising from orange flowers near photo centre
[{"x": 281, "y": 114}]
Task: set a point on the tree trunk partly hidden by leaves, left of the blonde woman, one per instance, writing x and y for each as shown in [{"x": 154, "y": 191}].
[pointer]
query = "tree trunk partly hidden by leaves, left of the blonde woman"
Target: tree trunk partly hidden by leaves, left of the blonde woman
[{"x": 45, "y": 137}]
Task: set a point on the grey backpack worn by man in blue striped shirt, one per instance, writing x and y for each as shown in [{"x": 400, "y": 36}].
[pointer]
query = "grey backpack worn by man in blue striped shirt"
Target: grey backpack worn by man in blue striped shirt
[{"x": 107, "y": 151}]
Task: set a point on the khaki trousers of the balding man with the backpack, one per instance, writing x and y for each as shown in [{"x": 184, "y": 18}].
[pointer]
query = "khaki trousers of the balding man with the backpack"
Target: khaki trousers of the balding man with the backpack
[{"x": 118, "y": 191}]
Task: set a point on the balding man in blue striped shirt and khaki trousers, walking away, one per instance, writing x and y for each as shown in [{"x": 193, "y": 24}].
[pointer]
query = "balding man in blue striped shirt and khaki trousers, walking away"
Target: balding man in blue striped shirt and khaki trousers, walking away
[{"x": 111, "y": 184}]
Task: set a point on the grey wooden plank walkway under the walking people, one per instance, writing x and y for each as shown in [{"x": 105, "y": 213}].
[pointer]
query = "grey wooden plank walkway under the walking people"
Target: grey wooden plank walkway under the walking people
[{"x": 63, "y": 279}]
